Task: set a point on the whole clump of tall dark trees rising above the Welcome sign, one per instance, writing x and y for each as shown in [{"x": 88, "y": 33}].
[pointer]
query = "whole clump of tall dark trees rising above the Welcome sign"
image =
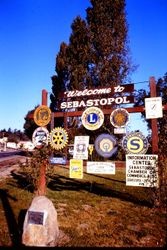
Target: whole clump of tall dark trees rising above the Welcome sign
[{"x": 97, "y": 53}]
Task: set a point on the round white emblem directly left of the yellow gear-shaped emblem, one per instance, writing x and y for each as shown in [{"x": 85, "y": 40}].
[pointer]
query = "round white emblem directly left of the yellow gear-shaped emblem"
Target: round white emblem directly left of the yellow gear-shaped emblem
[{"x": 40, "y": 137}]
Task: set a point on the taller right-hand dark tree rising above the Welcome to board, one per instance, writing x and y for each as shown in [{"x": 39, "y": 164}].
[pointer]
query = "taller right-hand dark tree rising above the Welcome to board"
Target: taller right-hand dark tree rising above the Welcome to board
[{"x": 108, "y": 35}]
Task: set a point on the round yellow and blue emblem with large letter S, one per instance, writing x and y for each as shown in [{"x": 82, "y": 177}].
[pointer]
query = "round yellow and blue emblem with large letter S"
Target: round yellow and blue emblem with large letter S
[{"x": 135, "y": 143}]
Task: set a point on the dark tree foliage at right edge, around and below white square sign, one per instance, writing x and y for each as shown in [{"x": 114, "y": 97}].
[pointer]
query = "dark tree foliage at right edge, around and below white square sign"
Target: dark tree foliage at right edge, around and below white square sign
[{"x": 161, "y": 89}]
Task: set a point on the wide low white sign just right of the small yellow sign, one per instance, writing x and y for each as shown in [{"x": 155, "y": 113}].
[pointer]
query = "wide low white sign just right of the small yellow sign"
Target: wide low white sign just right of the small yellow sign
[{"x": 95, "y": 167}]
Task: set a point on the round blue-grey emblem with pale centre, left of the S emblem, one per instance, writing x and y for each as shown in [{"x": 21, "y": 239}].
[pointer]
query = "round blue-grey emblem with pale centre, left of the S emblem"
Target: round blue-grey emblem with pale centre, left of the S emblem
[{"x": 105, "y": 145}]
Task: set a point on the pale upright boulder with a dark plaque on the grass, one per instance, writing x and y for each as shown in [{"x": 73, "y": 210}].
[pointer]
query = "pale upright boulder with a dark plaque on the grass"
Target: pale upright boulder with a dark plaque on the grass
[{"x": 40, "y": 225}]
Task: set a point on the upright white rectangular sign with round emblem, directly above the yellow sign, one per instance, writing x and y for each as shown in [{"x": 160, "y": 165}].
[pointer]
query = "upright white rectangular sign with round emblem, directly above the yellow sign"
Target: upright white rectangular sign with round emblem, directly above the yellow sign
[{"x": 81, "y": 144}]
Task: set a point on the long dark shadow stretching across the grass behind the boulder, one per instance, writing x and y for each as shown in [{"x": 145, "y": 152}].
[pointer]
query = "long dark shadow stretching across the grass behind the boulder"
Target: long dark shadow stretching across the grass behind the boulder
[{"x": 60, "y": 183}]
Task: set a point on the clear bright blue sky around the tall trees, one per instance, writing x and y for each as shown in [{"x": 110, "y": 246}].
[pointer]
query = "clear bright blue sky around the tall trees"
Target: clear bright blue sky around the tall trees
[{"x": 31, "y": 32}]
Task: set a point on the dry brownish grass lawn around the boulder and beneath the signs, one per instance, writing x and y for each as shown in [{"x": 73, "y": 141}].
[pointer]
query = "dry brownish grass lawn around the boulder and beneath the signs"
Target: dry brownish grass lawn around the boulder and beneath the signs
[{"x": 98, "y": 210}]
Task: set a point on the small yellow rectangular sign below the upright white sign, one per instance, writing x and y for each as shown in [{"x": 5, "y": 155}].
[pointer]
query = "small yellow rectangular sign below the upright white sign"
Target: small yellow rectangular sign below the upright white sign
[{"x": 76, "y": 168}]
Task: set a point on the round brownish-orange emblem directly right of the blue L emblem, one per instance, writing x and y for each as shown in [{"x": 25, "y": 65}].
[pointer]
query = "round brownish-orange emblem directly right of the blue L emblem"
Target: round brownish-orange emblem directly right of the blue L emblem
[{"x": 119, "y": 117}]
